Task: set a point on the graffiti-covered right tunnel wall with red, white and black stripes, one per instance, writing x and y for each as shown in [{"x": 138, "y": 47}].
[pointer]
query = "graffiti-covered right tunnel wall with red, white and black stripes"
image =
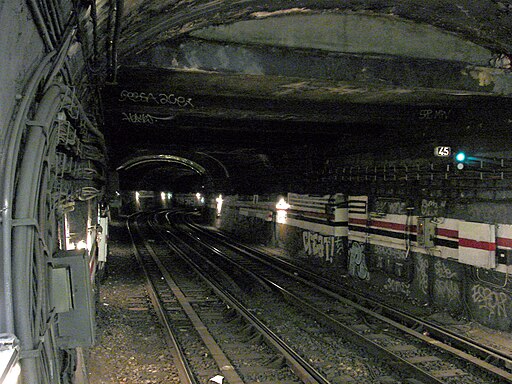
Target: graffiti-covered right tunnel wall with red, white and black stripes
[{"x": 383, "y": 245}]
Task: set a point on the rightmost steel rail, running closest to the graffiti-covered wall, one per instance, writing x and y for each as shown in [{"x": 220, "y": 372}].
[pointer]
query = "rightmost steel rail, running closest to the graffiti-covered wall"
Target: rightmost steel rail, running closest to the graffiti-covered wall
[{"x": 492, "y": 369}]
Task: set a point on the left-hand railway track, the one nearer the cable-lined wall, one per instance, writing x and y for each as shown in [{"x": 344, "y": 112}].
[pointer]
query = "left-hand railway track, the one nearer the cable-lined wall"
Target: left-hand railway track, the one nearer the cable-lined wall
[{"x": 211, "y": 333}]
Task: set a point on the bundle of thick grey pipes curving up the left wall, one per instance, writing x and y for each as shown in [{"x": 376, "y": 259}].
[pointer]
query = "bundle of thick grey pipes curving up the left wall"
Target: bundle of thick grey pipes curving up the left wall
[{"x": 34, "y": 234}]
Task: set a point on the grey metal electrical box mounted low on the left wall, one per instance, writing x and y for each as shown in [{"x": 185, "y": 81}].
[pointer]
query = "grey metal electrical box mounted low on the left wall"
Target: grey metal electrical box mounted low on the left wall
[{"x": 72, "y": 298}]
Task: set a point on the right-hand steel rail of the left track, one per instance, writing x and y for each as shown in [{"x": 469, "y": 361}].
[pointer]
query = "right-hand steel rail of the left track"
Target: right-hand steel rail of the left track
[{"x": 307, "y": 373}]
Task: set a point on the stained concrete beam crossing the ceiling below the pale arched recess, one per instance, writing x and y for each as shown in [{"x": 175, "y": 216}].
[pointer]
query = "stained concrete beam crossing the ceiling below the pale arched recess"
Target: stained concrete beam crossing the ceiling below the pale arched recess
[{"x": 401, "y": 74}]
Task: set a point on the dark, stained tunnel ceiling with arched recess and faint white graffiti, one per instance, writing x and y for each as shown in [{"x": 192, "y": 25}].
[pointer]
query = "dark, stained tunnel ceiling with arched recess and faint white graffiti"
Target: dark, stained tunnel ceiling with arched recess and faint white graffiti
[{"x": 257, "y": 85}]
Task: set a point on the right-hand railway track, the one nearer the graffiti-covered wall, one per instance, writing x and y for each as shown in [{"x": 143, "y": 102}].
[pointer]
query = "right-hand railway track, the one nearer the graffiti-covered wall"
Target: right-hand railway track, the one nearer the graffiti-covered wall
[{"x": 413, "y": 351}]
